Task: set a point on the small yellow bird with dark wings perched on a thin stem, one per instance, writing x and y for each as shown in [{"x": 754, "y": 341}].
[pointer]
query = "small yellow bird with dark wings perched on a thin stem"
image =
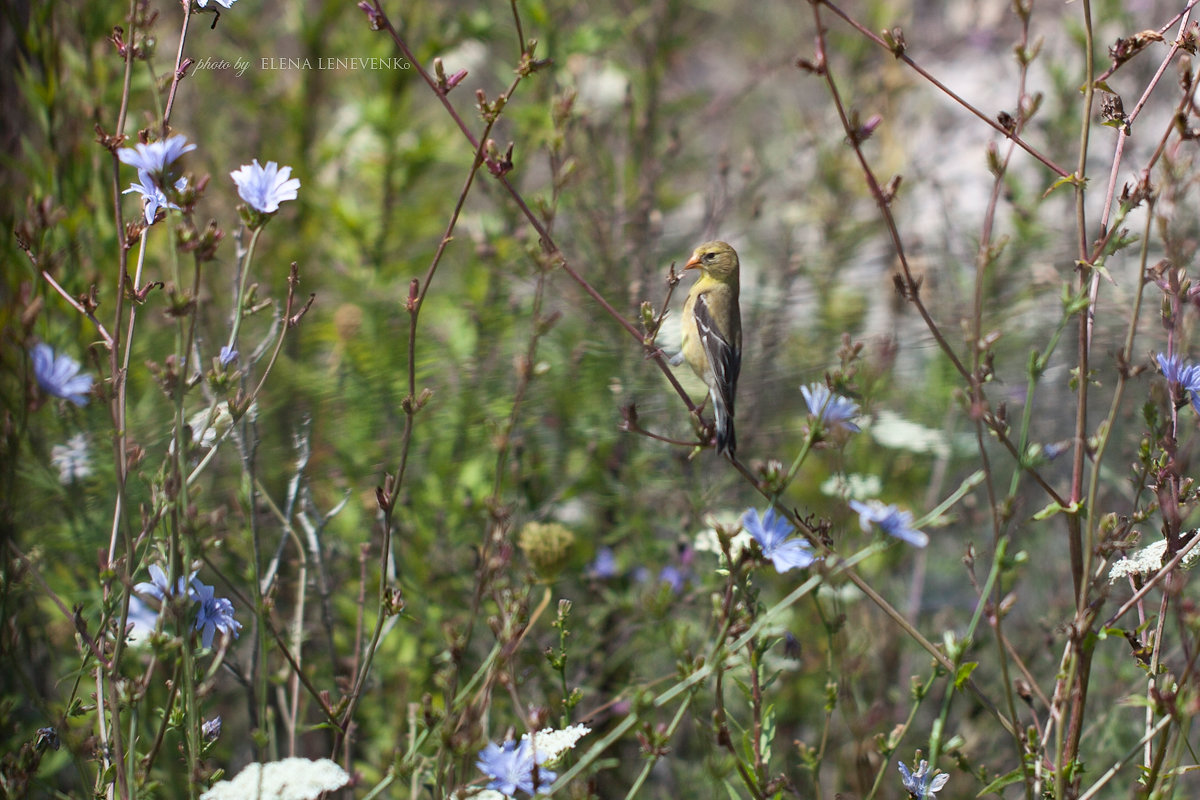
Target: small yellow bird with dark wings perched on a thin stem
[{"x": 712, "y": 333}]
